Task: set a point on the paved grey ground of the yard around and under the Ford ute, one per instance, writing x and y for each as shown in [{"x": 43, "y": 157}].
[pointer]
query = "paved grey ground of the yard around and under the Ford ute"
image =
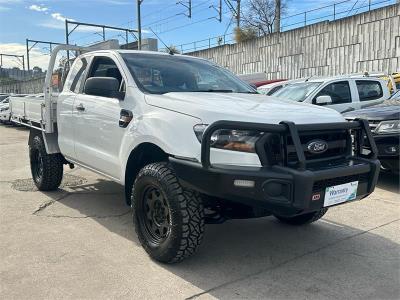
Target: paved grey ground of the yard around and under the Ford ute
[{"x": 79, "y": 242}]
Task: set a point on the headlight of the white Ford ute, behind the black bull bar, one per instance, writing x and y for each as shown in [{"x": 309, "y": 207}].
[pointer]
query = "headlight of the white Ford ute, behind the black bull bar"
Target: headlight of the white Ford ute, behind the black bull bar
[{"x": 226, "y": 139}]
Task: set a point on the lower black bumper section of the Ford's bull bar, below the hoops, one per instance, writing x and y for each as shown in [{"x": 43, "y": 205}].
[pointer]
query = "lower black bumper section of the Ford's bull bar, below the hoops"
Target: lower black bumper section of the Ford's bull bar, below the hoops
[{"x": 280, "y": 190}]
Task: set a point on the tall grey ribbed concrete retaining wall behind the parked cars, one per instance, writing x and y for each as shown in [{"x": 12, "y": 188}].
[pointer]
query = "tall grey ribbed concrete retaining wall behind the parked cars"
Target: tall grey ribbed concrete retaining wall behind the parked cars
[{"x": 365, "y": 42}]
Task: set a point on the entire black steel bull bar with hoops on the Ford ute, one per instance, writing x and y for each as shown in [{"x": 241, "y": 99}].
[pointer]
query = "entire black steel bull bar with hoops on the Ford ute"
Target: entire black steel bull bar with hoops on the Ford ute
[{"x": 282, "y": 190}]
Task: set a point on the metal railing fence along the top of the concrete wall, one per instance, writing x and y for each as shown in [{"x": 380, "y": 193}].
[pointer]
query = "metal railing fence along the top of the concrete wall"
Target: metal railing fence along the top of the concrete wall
[{"x": 332, "y": 12}]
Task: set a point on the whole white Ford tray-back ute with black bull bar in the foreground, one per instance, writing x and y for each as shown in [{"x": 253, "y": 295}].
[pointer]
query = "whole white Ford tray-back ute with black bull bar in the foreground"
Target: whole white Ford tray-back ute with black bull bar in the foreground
[{"x": 193, "y": 144}]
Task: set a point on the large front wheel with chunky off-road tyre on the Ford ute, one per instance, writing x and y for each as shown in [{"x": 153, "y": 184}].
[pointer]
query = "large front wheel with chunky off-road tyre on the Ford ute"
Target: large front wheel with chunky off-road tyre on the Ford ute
[{"x": 184, "y": 219}]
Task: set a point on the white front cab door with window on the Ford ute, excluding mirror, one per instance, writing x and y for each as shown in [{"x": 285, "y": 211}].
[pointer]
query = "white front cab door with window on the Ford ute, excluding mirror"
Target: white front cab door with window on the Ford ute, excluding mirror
[{"x": 98, "y": 135}]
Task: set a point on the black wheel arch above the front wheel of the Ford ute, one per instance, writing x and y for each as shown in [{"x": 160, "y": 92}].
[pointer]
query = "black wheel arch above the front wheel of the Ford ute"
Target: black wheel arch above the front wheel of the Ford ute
[{"x": 143, "y": 154}]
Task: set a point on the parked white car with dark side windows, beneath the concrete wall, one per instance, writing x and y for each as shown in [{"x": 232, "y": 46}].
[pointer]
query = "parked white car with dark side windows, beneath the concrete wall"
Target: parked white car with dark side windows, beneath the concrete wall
[{"x": 340, "y": 93}]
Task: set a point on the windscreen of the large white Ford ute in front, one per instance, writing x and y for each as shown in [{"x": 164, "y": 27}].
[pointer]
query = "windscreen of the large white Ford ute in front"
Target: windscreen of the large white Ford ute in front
[{"x": 160, "y": 74}]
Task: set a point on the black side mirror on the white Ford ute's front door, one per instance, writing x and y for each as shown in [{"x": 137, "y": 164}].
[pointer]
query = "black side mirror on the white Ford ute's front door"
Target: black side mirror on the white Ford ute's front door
[{"x": 103, "y": 86}]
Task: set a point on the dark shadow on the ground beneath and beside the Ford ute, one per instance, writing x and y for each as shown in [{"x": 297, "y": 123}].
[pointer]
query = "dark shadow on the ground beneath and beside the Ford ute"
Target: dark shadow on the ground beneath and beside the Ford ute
[{"x": 261, "y": 258}]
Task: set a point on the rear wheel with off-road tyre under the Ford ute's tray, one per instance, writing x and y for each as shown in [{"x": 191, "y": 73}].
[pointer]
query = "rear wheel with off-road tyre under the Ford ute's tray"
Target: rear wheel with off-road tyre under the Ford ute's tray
[{"x": 46, "y": 169}]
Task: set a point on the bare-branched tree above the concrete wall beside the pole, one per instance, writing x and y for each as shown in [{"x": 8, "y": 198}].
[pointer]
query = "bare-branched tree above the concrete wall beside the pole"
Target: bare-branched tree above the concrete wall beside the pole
[{"x": 260, "y": 15}]
